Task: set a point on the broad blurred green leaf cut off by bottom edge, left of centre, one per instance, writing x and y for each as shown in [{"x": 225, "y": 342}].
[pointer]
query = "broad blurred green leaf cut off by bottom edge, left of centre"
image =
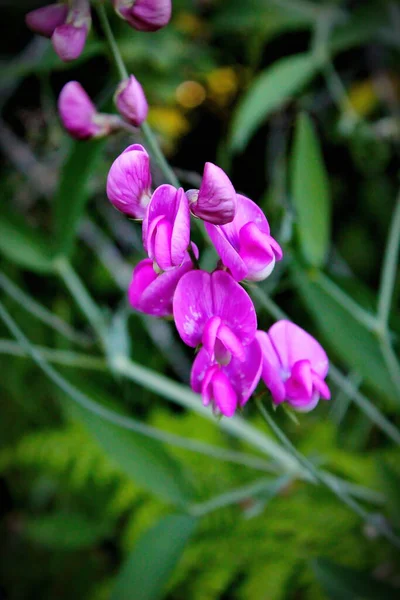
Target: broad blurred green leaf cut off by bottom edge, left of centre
[{"x": 154, "y": 558}]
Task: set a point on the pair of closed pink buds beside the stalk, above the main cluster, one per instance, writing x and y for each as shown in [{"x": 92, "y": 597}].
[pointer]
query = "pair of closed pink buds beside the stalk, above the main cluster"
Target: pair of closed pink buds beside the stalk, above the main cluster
[{"x": 81, "y": 119}]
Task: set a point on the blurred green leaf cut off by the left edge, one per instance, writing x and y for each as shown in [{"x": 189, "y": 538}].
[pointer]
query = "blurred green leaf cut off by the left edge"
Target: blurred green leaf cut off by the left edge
[{"x": 23, "y": 246}]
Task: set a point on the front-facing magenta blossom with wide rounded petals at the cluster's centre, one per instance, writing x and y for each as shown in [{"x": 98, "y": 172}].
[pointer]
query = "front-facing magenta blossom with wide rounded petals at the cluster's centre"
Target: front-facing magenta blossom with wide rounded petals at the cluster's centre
[{"x": 214, "y": 310}]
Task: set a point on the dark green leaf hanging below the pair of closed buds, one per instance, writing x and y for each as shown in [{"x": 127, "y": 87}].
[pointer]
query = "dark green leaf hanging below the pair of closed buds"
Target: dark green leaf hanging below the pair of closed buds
[{"x": 73, "y": 191}]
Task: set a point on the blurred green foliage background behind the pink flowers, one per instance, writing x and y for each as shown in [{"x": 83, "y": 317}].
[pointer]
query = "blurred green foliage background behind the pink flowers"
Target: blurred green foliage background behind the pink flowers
[{"x": 299, "y": 102}]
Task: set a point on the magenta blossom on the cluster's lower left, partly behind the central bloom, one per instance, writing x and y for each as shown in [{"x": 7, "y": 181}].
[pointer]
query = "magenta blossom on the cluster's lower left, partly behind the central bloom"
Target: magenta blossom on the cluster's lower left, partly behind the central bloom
[{"x": 151, "y": 292}]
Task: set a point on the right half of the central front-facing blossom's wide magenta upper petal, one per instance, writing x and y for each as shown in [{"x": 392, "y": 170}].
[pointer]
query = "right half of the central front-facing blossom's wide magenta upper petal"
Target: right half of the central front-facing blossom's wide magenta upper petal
[{"x": 232, "y": 303}]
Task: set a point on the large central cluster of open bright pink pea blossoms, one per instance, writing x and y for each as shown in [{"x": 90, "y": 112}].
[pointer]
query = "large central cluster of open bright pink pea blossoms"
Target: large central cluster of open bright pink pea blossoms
[{"x": 212, "y": 312}]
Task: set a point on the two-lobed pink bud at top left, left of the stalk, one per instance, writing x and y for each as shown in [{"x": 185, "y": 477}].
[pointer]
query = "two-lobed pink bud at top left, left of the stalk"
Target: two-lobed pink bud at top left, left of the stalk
[{"x": 66, "y": 25}]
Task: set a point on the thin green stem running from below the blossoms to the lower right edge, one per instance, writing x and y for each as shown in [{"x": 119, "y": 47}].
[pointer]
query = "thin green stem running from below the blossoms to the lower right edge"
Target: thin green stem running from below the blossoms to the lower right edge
[{"x": 330, "y": 483}]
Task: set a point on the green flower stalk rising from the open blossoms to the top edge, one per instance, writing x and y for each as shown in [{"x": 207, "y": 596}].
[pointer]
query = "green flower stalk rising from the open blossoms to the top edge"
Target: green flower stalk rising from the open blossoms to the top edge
[{"x": 148, "y": 135}]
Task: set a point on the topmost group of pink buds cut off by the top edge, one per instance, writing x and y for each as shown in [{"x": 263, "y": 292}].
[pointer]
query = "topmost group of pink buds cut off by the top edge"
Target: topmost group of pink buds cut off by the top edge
[{"x": 67, "y": 24}]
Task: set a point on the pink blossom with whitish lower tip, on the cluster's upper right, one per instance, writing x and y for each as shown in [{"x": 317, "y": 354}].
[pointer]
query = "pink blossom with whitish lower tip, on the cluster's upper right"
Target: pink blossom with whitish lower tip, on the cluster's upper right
[{"x": 245, "y": 245}]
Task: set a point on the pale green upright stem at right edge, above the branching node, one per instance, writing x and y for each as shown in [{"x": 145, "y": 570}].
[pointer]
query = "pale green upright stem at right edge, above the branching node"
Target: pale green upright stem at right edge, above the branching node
[{"x": 389, "y": 269}]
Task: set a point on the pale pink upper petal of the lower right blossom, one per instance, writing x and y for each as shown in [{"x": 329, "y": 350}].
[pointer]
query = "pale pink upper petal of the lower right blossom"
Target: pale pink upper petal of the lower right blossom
[{"x": 293, "y": 344}]
